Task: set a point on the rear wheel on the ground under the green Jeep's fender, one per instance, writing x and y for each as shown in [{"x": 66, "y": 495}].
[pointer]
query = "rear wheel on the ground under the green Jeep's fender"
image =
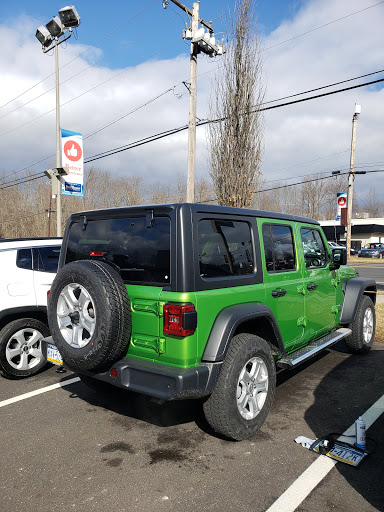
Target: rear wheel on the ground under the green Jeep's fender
[{"x": 237, "y": 409}]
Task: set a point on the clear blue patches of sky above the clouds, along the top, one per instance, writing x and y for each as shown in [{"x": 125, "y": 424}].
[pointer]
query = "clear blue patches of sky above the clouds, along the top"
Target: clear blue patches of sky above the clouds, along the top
[{"x": 164, "y": 26}]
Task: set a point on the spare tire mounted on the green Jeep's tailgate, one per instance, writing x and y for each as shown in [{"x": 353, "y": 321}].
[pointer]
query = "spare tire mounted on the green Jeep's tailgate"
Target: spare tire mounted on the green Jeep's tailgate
[{"x": 89, "y": 315}]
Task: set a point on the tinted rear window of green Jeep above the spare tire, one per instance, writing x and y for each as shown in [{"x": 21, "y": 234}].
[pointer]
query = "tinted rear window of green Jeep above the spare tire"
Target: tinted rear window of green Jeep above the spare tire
[{"x": 141, "y": 253}]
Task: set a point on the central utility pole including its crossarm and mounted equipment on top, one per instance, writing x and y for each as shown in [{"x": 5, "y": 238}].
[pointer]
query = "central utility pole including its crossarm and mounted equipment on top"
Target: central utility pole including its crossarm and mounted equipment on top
[{"x": 205, "y": 42}]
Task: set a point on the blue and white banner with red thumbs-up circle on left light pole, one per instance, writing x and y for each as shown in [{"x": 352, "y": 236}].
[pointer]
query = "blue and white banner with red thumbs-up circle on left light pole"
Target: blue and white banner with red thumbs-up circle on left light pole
[{"x": 72, "y": 158}]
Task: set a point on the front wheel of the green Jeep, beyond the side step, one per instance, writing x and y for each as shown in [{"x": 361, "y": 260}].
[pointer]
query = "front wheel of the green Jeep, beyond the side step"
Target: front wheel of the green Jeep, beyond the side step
[{"x": 363, "y": 327}]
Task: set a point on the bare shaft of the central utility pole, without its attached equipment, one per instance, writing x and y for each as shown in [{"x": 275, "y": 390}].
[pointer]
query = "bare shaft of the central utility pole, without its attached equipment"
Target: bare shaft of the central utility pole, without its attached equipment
[{"x": 192, "y": 110}]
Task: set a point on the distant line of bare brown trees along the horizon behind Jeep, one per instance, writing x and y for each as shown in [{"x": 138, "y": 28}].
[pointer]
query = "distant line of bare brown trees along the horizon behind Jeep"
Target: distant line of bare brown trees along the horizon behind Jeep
[{"x": 25, "y": 208}]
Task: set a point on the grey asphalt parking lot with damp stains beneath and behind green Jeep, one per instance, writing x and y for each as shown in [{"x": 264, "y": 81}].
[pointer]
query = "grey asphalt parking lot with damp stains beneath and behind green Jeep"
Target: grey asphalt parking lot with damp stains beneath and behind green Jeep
[{"x": 69, "y": 448}]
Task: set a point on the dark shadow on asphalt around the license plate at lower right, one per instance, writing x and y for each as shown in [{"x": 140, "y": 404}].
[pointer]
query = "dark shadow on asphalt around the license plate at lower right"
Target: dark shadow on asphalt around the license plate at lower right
[{"x": 344, "y": 394}]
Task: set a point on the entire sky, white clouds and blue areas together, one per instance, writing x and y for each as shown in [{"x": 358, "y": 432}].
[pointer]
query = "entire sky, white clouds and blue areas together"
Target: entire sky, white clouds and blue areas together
[{"x": 128, "y": 53}]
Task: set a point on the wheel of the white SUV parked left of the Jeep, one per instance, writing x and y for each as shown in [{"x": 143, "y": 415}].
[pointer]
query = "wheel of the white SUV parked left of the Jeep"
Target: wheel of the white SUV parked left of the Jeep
[{"x": 20, "y": 348}]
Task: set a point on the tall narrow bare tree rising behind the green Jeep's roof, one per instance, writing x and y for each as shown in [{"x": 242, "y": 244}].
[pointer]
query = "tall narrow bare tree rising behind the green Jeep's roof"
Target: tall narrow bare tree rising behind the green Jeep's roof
[{"x": 236, "y": 141}]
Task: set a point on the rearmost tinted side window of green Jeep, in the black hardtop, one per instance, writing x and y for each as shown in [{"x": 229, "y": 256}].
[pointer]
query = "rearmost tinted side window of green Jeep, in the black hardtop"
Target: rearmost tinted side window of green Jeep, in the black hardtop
[{"x": 225, "y": 248}]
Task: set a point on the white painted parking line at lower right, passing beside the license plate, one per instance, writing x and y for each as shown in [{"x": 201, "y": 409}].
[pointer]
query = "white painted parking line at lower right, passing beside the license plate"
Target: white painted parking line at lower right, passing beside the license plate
[{"x": 314, "y": 474}]
